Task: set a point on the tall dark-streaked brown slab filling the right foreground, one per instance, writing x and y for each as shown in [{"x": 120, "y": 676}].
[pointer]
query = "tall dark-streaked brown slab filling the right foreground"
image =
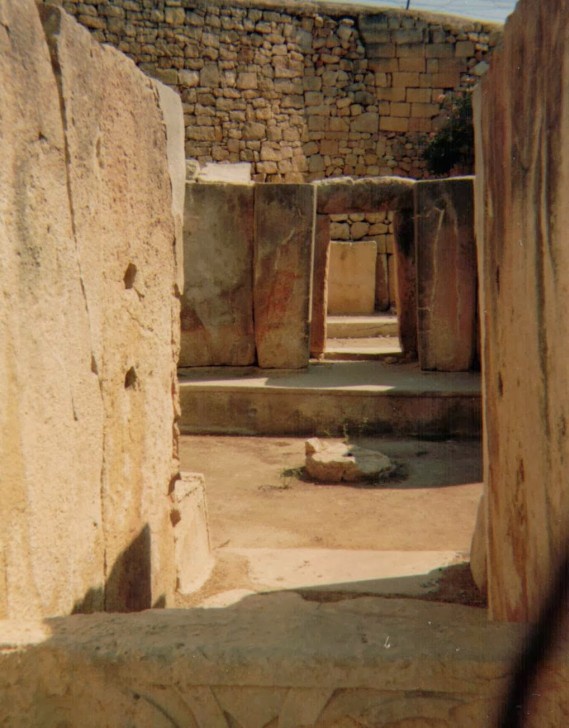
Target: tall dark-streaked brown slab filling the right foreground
[{"x": 522, "y": 221}]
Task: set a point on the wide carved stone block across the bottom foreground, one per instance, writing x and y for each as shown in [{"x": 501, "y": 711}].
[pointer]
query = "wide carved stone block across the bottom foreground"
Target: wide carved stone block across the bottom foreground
[{"x": 384, "y": 662}]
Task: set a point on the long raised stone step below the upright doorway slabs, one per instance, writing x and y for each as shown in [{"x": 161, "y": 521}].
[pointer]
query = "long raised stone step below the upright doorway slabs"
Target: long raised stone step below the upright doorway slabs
[{"x": 330, "y": 399}]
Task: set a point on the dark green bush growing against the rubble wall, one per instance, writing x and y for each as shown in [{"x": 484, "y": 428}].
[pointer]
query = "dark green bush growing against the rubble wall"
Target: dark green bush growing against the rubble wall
[{"x": 452, "y": 147}]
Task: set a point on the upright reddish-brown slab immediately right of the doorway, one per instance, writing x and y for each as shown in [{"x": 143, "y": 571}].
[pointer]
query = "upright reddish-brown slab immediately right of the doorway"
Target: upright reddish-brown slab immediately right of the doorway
[{"x": 446, "y": 274}]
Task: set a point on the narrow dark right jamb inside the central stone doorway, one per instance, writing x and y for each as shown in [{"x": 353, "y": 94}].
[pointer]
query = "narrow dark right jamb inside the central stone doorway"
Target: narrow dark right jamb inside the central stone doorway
[{"x": 402, "y": 270}]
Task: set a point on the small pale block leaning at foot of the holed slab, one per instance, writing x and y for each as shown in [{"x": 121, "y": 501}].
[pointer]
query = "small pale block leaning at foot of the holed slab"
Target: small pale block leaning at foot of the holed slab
[{"x": 194, "y": 560}]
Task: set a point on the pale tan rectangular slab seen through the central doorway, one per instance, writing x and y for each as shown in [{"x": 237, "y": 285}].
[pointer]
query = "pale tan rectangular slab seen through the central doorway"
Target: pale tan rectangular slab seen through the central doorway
[{"x": 351, "y": 278}]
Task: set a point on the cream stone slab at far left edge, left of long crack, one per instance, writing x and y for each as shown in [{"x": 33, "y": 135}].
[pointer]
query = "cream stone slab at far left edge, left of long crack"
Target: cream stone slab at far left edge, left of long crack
[{"x": 51, "y": 409}]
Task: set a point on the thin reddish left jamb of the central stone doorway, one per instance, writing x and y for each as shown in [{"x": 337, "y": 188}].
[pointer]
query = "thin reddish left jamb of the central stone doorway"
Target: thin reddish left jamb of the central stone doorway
[{"x": 320, "y": 286}]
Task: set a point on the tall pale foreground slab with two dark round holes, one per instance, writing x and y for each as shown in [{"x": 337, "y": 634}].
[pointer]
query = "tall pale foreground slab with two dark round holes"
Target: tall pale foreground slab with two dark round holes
[{"x": 121, "y": 198}]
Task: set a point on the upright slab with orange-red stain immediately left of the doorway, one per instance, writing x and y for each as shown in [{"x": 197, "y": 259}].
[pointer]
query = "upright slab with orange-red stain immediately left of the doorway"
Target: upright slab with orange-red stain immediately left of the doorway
[{"x": 285, "y": 216}]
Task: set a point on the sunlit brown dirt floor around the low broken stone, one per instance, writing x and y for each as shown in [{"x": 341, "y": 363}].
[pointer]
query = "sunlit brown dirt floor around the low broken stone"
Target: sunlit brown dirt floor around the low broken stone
[{"x": 258, "y": 497}]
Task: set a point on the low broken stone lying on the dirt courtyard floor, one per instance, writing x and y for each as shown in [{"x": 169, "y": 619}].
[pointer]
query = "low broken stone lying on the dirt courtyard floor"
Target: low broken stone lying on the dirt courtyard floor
[{"x": 333, "y": 462}]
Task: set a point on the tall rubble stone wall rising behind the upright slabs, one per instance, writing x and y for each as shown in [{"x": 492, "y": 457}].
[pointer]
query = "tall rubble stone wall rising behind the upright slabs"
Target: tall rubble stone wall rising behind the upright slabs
[{"x": 300, "y": 90}]
